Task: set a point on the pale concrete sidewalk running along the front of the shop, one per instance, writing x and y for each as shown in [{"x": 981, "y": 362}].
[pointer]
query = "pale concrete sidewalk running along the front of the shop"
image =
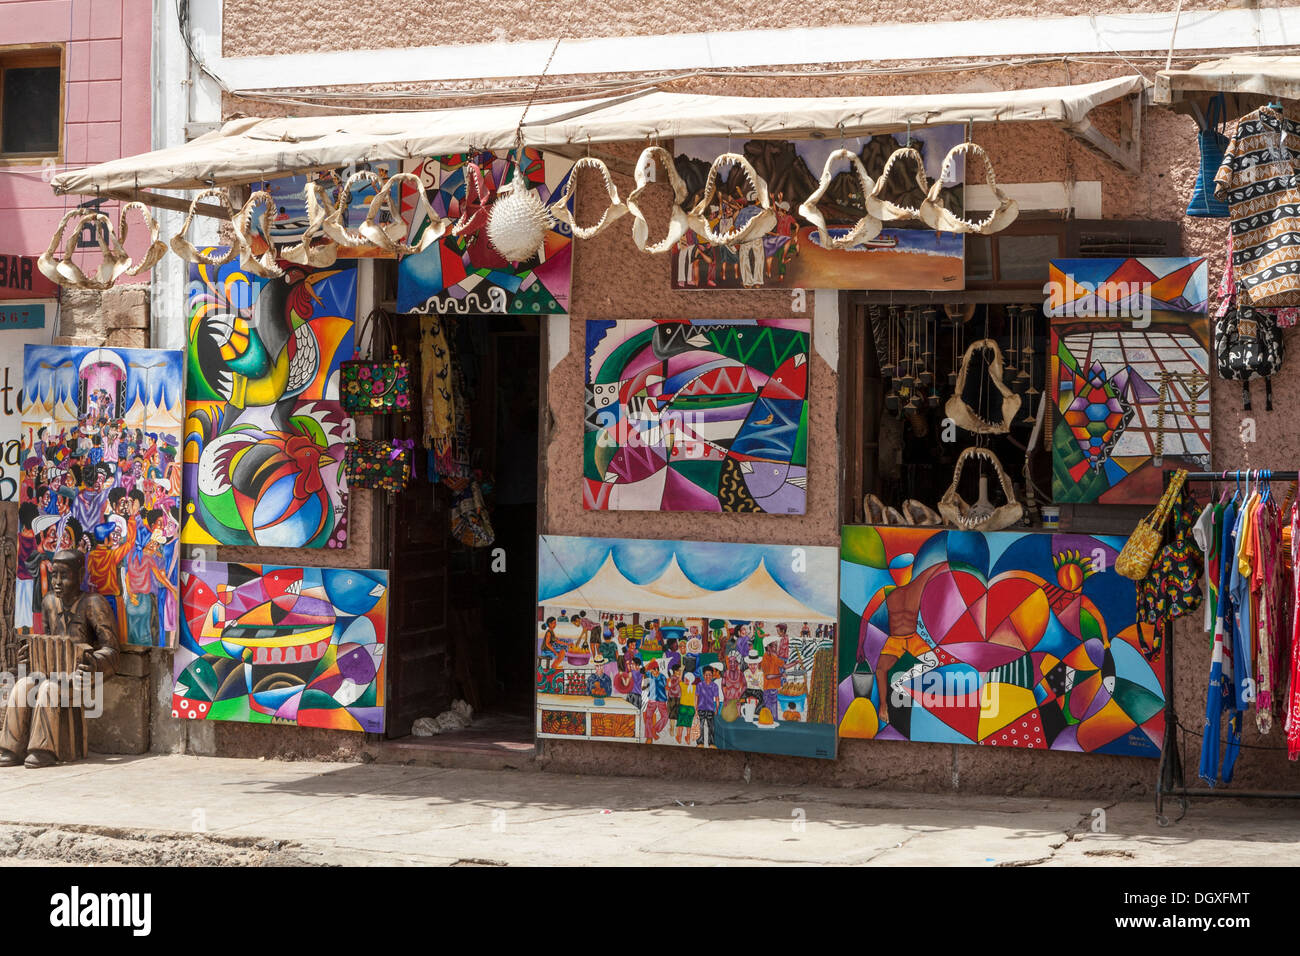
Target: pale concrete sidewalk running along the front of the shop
[{"x": 172, "y": 810}]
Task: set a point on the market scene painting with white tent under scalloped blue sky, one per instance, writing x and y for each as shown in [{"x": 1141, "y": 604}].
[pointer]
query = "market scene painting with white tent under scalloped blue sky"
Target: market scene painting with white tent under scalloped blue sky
[{"x": 725, "y": 647}]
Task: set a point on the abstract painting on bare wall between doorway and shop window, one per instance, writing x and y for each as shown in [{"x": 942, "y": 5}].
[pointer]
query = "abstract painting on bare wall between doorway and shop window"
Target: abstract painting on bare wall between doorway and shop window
[{"x": 696, "y": 416}]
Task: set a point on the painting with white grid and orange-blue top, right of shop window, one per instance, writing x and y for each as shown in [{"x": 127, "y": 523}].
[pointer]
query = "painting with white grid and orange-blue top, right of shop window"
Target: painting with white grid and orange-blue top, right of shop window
[{"x": 1130, "y": 378}]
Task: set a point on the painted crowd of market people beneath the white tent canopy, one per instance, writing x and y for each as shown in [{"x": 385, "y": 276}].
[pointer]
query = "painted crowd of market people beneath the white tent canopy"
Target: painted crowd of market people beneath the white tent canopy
[{"x": 683, "y": 676}]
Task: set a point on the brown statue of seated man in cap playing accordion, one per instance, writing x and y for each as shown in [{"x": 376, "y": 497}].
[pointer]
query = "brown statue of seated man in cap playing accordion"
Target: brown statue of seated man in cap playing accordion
[{"x": 45, "y": 717}]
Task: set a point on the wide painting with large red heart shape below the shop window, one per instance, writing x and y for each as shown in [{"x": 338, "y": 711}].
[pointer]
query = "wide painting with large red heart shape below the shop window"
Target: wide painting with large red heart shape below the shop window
[{"x": 1000, "y": 639}]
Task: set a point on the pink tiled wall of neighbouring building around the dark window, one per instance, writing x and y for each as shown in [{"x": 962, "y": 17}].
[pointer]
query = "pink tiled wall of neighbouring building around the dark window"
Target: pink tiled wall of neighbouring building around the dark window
[{"x": 106, "y": 105}]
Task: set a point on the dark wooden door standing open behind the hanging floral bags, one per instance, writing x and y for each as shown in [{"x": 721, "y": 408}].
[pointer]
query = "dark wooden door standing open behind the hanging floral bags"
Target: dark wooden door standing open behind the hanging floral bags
[{"x": 417, "y": 531}]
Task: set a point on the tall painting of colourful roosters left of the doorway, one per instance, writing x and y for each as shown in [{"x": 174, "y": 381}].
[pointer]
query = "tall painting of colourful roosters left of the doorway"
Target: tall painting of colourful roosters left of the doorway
[{"x": 265, "y": 434}]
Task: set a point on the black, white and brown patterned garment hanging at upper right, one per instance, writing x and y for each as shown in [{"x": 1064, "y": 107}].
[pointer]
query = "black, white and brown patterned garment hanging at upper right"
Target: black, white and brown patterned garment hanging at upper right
[{"x": 1259, "y": 183}]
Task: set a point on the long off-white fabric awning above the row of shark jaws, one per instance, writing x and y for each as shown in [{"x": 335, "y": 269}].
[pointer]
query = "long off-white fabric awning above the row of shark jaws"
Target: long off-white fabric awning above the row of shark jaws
[{"x": 249, "y": 150}]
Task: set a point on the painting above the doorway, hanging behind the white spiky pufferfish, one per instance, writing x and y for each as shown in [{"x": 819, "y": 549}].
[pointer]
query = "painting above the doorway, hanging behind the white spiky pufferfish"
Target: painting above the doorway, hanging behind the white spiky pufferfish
[{"x": 465, "y": 275}]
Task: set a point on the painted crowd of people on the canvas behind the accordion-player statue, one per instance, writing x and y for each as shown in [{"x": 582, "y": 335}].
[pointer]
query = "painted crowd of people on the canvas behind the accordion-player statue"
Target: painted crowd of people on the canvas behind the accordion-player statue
[{"x": 111, "y": 492}]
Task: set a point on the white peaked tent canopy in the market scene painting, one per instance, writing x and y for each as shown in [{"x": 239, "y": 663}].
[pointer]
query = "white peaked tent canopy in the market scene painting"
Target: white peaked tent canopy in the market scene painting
[{"x": 759, "y": 598}]
